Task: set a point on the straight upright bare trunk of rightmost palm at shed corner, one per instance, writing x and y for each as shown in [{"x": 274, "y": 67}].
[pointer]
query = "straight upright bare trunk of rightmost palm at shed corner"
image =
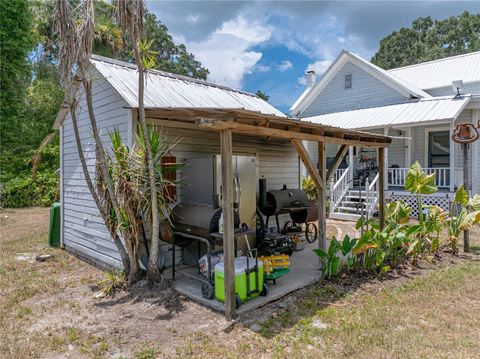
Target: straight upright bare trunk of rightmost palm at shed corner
[{"x": 153, "y": 273}]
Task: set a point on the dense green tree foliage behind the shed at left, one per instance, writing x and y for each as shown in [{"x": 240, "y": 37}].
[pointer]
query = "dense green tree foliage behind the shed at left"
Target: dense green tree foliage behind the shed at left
[{"x": 31, "y": 93}]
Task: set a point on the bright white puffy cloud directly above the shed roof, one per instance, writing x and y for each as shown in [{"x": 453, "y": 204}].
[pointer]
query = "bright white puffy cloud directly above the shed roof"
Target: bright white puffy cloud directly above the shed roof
[{"x": 226, "y": 52}]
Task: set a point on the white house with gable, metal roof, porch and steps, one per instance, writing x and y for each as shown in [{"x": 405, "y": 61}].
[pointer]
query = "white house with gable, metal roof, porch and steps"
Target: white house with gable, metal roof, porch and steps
[{"x": 418, "y": 105}]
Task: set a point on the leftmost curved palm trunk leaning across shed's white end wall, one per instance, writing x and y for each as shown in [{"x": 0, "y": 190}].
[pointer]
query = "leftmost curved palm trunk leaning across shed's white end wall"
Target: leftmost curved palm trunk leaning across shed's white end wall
[{"x": 116, "y": 239}]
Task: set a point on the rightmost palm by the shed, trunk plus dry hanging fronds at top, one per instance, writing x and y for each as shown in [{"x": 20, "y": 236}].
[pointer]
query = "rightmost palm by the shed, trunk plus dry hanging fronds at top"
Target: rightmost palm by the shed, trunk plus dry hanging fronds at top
[{"x": 130, "y": 14}]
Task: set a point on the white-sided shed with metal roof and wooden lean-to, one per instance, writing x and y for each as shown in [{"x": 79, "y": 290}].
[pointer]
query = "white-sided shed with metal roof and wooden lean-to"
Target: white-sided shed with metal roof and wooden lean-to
[{"x": 224, "y": 136}]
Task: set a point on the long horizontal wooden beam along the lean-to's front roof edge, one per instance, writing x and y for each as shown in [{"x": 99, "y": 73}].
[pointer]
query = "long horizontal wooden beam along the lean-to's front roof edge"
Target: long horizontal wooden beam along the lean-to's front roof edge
[{"x": 274, "y": 132}]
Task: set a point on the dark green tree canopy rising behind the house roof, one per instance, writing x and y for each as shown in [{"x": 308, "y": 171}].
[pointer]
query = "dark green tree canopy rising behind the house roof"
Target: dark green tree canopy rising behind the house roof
[{"x": 428, "y": 40}]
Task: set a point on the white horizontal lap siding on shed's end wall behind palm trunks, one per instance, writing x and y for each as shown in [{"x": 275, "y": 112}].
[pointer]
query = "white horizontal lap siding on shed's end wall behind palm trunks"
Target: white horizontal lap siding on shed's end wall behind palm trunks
[{"x": 84, "y": 230}]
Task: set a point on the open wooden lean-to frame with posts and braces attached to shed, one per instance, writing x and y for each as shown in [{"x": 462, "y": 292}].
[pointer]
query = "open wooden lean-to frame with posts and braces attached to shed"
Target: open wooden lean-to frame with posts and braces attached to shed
[{"x": 246, "y": 122}]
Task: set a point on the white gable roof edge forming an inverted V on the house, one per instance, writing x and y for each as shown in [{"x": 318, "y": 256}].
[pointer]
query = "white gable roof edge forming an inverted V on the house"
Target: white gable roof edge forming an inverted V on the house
[{"x": 398, "y": 84}]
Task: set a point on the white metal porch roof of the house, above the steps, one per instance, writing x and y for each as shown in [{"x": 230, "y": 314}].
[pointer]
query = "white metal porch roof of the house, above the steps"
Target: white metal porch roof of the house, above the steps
[{"x": 426, "y": 110}]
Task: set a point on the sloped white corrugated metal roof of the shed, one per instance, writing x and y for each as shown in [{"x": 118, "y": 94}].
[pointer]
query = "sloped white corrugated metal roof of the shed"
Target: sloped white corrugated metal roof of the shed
[{"x": 165, "y": 90}]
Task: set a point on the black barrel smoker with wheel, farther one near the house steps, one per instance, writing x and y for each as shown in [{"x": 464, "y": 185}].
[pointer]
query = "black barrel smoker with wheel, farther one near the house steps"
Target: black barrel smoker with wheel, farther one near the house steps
[{"x": 289, "y": 201}]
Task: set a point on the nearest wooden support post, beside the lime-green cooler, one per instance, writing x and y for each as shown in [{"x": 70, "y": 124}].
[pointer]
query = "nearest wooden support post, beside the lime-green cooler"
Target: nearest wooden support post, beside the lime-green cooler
[{"x": 228, "y": 224}]
